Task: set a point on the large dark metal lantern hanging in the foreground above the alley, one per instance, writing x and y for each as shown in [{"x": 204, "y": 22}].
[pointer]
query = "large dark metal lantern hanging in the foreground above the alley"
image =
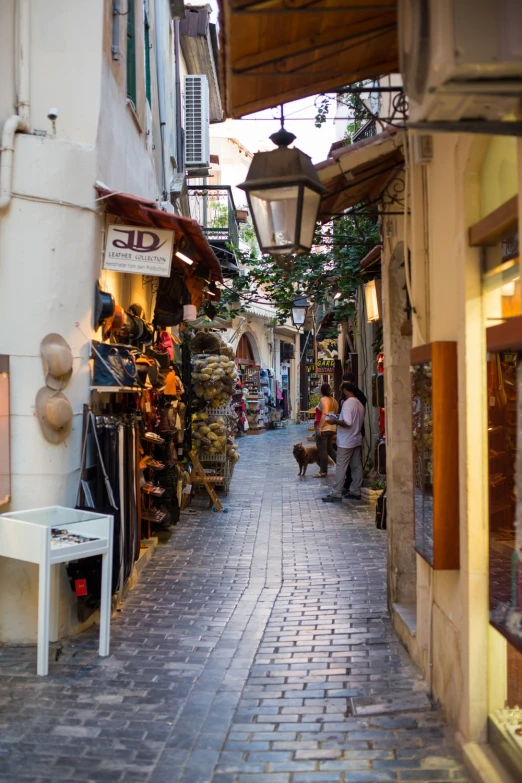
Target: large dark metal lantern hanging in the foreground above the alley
[{"x": 283, "y": 191}]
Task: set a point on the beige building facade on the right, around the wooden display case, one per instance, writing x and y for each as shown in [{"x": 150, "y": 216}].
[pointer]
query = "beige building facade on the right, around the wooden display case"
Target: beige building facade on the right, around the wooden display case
[{"x": 444, "y": 615}]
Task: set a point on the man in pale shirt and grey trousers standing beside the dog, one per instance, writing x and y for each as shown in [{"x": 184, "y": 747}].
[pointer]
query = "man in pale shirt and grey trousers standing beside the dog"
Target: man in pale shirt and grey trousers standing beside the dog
[{"x": 349, "y": 440}]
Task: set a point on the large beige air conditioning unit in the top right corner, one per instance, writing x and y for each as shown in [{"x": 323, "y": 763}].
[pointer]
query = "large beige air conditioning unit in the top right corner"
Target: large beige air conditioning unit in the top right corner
[{"x": 461, "y": 59}]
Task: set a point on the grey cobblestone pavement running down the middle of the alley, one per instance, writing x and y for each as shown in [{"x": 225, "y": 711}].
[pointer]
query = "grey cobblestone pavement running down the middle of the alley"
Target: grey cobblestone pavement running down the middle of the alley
[{"x": 256, "y": 648}]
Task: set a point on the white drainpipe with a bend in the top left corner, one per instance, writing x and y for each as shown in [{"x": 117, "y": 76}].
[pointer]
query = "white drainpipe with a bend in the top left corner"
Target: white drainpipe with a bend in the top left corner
[{"x": 17, "y": 122}]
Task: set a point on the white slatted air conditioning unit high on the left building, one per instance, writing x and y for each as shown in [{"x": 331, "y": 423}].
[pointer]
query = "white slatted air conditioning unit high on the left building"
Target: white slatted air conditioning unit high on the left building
[{"x": 197, "y": 135}]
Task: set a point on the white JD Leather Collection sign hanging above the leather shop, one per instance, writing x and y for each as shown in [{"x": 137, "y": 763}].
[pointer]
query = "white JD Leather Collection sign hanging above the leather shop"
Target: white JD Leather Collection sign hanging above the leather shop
[{"x": 138, "y": 250}]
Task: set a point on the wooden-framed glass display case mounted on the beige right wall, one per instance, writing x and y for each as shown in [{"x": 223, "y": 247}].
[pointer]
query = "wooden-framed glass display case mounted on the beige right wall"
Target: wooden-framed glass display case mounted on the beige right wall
[{"x": 435, "y": 453}]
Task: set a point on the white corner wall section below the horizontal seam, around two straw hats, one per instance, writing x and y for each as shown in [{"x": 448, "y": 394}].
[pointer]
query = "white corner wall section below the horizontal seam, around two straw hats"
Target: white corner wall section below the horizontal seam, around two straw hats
[{"x": 49, "y": 260}]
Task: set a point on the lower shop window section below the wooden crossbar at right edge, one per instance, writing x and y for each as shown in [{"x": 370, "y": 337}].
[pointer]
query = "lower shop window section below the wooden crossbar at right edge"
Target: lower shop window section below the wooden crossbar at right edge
[{"x": 504, "y": 395}]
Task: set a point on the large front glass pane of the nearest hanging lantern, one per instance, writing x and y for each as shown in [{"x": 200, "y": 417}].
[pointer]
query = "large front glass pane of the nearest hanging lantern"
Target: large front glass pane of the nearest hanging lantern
[{"x": 275, "y": 214}]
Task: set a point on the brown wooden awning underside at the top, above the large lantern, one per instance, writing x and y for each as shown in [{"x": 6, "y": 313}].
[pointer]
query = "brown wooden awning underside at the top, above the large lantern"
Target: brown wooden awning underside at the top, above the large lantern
[{"x": 275, "y": 51}]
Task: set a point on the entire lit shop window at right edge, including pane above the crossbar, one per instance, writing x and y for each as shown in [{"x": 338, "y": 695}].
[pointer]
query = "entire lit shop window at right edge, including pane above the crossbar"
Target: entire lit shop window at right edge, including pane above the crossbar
[{"x": 503, "y": 321}]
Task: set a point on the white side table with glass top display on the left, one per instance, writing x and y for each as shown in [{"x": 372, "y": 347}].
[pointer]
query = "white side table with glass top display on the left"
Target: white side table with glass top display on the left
[{"x": 53, "y": 535}]
